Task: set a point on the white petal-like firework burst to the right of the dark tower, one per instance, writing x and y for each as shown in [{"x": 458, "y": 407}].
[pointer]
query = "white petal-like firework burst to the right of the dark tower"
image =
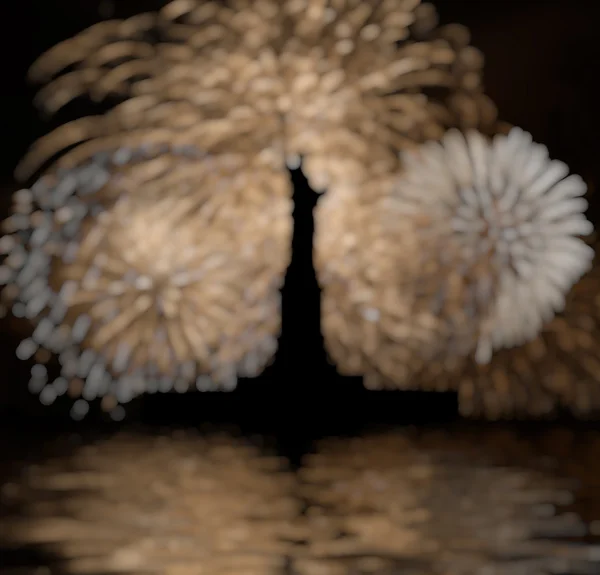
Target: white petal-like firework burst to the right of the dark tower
[{"x": 510, "y": 212}]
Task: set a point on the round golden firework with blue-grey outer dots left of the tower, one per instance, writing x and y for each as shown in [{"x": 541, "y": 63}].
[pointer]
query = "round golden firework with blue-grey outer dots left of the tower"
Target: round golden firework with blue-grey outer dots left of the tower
[{"x": 149, "y": 269}]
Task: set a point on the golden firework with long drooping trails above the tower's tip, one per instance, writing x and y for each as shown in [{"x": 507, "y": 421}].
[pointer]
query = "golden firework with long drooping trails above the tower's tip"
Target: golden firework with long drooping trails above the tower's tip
[{"x": 342, "y": 83}]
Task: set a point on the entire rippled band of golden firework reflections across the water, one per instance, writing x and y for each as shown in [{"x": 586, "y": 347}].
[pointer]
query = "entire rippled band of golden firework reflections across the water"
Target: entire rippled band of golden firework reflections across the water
[{"x": 478, "y": 501}]
